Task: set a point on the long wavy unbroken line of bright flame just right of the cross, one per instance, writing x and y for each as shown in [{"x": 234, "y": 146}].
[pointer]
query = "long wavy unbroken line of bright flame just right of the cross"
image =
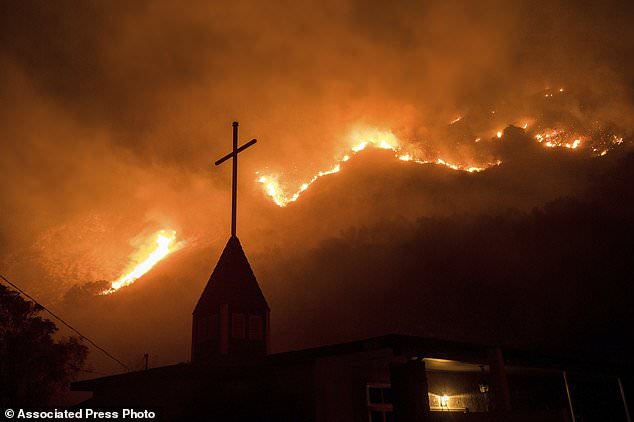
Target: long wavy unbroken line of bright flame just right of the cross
[{"x": 359, "y": 139}]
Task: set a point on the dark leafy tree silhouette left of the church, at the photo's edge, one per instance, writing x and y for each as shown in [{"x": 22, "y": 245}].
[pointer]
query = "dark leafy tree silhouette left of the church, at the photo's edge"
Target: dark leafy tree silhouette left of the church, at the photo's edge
[{"x": 33, "y": 365}]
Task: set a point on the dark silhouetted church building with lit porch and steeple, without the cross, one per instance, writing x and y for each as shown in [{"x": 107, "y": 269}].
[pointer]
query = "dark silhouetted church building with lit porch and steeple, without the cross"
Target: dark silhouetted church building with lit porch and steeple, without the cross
[{"x": 232, "y": 377}]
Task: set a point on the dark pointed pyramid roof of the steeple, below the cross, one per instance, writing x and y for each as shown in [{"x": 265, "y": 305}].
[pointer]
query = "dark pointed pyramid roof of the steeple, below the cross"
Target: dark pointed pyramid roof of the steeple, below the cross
[{"x": 232, "y": 281}]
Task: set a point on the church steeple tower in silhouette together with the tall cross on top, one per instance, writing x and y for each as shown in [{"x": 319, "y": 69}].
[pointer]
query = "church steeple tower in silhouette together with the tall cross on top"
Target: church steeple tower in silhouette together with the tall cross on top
[{"x": 231, "y": 317}]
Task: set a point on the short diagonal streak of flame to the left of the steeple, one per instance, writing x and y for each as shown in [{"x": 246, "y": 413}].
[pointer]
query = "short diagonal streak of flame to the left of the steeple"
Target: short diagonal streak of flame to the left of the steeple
[{"x": 162, "y": 245}]
